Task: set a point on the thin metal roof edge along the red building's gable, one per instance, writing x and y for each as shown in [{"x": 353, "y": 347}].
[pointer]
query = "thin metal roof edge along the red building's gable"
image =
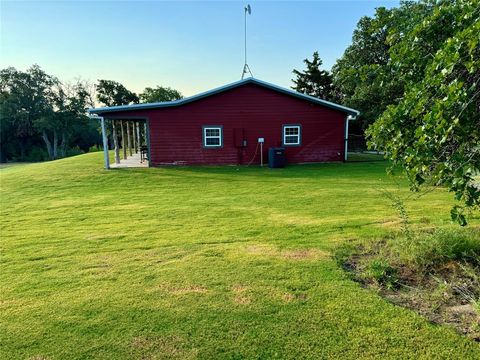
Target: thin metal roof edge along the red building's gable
[{"x": 235, "y": 84}]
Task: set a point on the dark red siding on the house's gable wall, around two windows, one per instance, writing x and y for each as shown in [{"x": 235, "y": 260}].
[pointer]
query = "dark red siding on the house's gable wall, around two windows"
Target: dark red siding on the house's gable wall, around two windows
[{"x": 176, "y": 132}]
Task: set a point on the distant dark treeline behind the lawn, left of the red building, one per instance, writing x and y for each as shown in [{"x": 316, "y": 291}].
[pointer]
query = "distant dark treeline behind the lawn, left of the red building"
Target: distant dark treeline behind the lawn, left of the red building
[{"x": 43, "y": 118}]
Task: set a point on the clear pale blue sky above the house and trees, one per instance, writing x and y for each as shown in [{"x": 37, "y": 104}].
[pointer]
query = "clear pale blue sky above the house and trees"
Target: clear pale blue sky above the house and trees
[{"x": 191, "y": 46}]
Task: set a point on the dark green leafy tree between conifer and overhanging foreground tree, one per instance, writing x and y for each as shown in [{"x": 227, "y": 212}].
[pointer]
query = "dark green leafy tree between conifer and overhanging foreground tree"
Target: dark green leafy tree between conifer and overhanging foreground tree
[{"x": 364, "y": 74}]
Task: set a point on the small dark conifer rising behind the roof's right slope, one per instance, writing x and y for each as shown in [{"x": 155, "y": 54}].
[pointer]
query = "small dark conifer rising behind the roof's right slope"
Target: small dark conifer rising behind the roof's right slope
[{"x": 315, "y": 81}]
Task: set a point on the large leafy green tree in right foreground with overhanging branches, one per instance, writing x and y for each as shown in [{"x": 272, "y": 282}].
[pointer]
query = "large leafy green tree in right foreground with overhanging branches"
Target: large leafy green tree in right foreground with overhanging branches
[{"x": 433, "y": 131}]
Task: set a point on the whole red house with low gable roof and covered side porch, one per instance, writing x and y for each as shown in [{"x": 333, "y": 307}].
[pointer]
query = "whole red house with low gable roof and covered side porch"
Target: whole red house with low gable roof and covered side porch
[{"x": 225, "y": 125}]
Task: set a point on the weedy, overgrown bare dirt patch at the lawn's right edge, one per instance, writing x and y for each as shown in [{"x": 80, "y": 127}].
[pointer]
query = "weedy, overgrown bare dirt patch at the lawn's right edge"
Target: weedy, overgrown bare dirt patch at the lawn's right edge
[{"x": 444, "y": 289}]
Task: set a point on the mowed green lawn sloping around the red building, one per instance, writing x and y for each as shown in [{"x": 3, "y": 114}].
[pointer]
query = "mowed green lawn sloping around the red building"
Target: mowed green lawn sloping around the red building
[{"x": 203, "y": 262}]
